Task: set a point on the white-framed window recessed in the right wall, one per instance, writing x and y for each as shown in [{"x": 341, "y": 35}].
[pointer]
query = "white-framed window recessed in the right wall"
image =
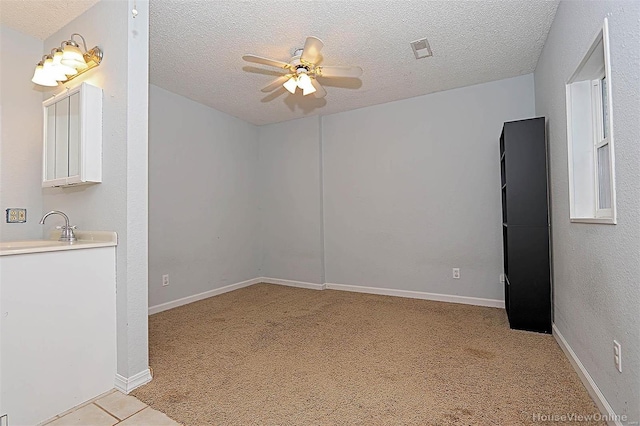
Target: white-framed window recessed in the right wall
[{"x": 590, "y": 136}]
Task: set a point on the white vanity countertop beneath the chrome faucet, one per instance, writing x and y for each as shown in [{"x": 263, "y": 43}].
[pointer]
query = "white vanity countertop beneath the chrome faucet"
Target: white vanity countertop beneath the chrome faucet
[{"x": 86, "y": 240}]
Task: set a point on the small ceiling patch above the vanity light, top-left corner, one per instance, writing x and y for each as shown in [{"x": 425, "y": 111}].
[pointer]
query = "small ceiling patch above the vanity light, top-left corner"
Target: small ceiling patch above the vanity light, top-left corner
[{"x": 41, "y": 18}]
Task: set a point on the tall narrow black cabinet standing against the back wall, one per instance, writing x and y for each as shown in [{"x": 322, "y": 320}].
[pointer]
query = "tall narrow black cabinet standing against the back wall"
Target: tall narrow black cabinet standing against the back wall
[{"x": 525, "y": 227}]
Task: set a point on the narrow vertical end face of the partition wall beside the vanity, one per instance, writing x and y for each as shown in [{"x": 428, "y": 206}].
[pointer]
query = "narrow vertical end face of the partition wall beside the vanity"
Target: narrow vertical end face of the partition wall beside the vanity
[{"x": 137, "y": 263}]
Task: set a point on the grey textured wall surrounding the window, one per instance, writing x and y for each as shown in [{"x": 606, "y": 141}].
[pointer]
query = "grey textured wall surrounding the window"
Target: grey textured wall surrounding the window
[{"x": 597, "y": 267}]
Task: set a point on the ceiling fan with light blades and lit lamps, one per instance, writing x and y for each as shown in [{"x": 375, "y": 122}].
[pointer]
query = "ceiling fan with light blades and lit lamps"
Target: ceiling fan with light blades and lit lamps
[{"x": 302, "y": 70}]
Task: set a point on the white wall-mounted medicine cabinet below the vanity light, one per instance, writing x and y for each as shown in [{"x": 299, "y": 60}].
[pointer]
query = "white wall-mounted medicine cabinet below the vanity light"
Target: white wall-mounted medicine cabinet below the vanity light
[{"x": 72, "y": 151}]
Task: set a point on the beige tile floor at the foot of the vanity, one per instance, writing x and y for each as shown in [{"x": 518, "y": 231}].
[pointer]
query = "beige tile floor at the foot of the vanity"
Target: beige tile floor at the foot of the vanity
[{"x": 113, "y": 408}]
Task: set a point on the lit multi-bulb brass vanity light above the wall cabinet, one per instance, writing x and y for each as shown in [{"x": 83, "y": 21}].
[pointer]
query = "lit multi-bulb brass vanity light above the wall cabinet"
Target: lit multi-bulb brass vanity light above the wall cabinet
[{"x": 66, "y": 63}]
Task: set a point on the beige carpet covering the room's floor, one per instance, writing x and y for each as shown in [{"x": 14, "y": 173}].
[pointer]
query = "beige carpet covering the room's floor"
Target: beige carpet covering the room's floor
[{"x": 274, "y": 355}]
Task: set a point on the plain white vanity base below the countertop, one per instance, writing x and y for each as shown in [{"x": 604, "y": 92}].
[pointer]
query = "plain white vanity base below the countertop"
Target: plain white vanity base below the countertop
[{"x": 58, "y": 331}]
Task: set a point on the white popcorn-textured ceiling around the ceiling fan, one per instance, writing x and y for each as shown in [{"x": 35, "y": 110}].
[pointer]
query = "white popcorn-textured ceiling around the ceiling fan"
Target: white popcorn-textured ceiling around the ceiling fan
[{"x": 197, "y": 47}]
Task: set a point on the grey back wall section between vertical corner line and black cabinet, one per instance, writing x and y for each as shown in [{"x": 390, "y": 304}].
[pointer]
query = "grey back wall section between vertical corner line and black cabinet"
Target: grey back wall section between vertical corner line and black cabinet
[{"x": 411, "y": 190}]
